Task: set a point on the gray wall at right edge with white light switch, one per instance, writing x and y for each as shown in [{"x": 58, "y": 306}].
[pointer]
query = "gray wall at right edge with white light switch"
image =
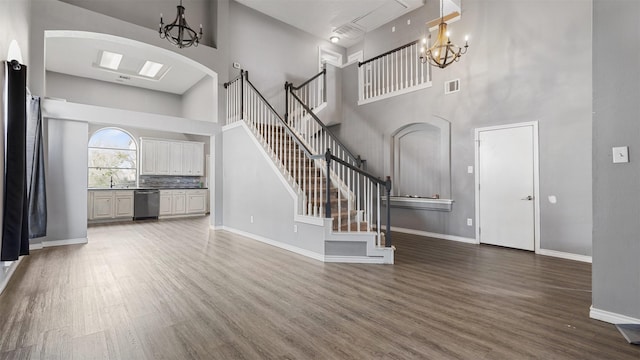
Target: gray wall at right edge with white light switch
[{"x": 616, "y": 187}]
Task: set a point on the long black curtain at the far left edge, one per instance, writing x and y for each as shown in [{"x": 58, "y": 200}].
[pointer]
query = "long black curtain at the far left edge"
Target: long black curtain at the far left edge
[{"x": 15, "y": 227}]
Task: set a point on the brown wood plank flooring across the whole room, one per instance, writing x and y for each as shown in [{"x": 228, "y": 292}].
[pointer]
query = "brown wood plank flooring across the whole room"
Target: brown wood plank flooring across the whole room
[{"x": 174, "y": 290}]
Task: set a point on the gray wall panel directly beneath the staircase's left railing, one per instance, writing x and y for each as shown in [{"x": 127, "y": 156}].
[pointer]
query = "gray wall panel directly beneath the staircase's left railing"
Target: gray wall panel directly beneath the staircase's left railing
[{"x": 252, "y": 188}]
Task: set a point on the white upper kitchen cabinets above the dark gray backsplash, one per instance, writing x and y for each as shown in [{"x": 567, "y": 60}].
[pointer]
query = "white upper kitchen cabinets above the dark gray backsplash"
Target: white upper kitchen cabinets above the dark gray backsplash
[{"x": 169, "y": 157}]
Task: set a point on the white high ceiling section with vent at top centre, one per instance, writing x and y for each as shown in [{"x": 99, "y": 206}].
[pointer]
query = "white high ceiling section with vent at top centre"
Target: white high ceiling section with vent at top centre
[{"x": 348, "y": 19}]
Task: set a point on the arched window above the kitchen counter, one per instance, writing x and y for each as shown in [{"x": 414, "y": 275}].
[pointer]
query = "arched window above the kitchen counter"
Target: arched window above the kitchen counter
[{"x": 112, "y": 159}]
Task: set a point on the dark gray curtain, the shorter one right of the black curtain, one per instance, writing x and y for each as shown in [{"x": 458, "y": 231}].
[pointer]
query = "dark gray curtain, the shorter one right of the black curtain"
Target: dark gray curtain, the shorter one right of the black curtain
[{"x": 37, "y": 194}]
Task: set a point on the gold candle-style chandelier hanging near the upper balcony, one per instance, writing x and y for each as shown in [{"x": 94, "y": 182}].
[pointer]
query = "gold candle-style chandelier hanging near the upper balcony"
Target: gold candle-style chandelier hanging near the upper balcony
[{"x": 442, "y": 53}]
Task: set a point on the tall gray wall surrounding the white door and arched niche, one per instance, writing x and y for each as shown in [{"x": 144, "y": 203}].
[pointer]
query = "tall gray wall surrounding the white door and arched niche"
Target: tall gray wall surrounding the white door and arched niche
[{"x": 511, "y": 74}]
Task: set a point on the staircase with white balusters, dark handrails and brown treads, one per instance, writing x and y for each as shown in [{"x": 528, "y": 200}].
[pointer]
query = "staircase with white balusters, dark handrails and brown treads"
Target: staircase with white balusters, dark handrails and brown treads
[{"x": 324, "y": 175}]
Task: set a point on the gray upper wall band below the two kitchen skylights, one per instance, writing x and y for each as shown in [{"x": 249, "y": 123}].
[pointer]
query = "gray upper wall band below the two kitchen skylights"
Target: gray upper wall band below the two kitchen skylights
[{"x": 102, "y": 93}]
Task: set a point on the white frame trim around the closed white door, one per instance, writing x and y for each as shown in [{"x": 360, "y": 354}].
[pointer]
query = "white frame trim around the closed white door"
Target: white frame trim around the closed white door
[{"x": 536, "y": 177}]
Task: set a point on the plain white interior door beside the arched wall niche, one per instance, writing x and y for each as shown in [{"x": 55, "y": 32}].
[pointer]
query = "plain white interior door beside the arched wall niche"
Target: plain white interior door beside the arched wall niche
[{"x": 506, "y": 179}]
